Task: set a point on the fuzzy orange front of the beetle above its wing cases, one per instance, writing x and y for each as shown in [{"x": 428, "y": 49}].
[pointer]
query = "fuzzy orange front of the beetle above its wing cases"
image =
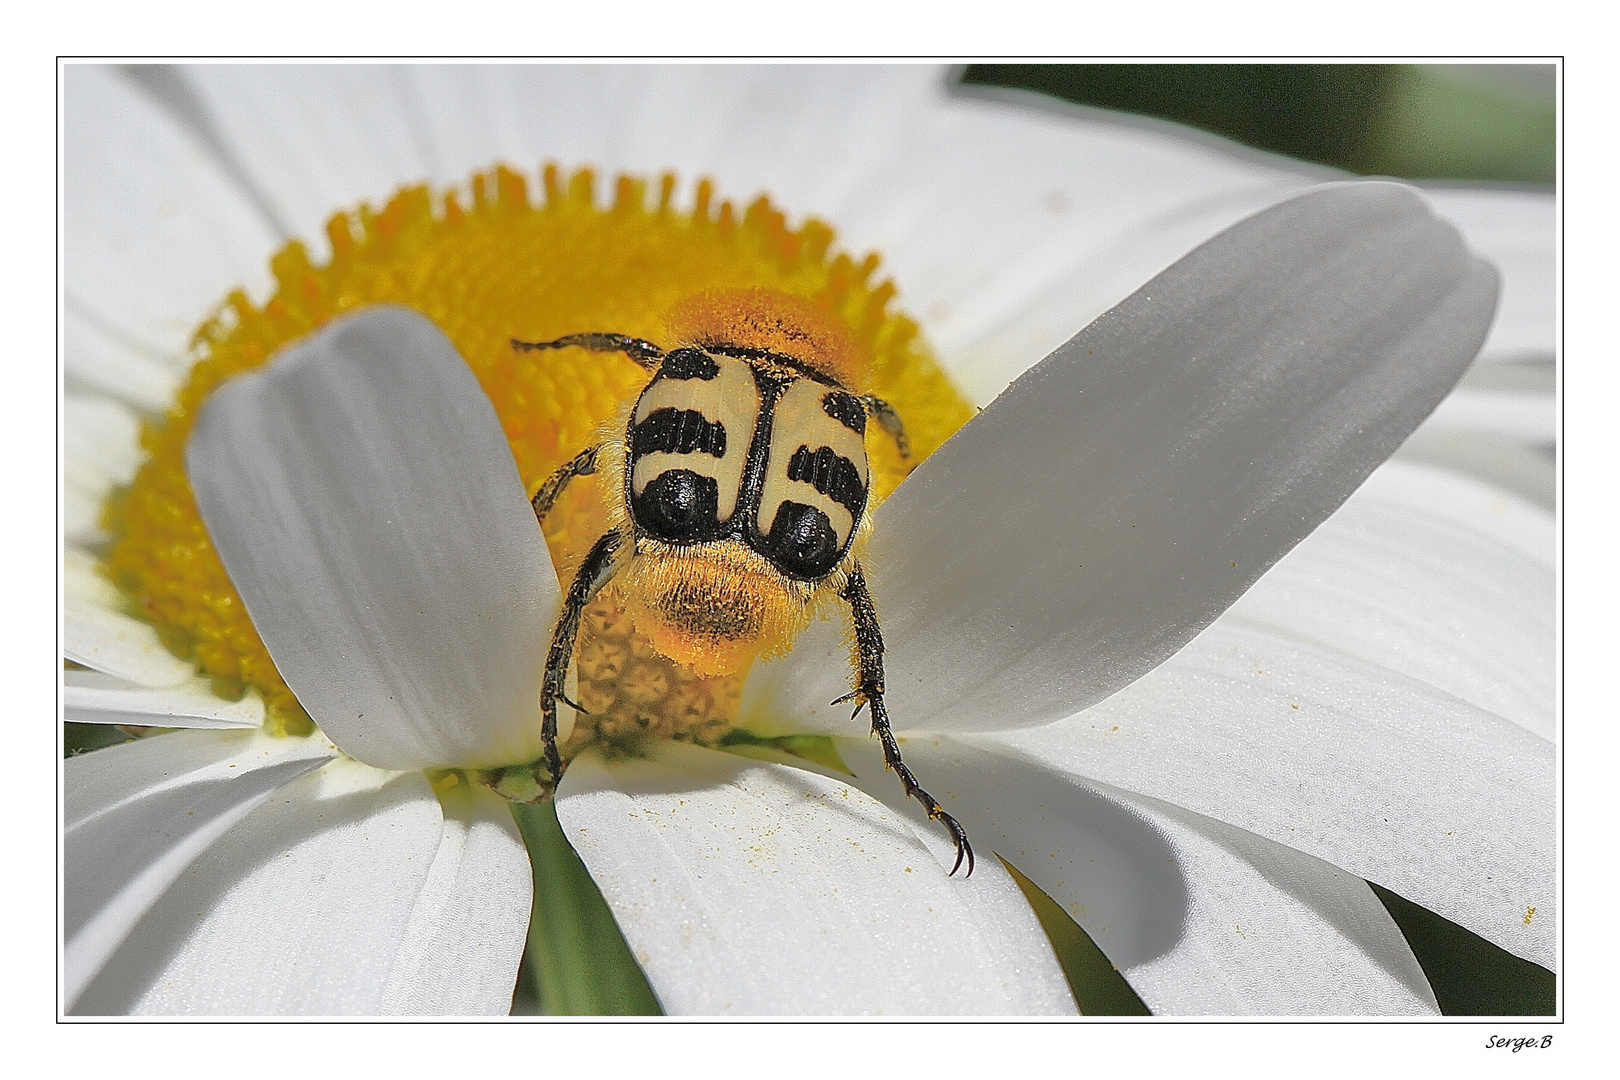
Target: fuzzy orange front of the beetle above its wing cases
[{"x": 775, "y": 321}]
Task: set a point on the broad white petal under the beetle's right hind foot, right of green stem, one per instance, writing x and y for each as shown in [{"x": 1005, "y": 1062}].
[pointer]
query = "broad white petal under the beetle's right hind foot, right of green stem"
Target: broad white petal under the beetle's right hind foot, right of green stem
[{"x": 727, "y": 874}]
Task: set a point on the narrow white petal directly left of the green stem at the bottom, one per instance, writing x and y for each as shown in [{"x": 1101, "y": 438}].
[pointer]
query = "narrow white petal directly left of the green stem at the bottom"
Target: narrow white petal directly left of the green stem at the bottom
[{"x": 467, "y": 932}]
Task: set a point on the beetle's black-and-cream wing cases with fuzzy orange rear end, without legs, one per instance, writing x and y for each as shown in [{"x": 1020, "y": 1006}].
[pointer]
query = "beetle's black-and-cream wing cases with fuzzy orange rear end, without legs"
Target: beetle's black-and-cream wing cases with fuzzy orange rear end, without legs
[{"x": 743, "y": 482}]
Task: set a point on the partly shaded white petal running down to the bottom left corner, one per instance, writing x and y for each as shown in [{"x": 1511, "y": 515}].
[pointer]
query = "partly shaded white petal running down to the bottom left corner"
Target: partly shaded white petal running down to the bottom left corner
[{"x": 140, "y": 814}]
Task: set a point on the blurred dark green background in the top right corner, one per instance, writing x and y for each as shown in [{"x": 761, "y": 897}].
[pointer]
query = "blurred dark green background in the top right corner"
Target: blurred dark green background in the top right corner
[{"x": 1490, "y": 122}]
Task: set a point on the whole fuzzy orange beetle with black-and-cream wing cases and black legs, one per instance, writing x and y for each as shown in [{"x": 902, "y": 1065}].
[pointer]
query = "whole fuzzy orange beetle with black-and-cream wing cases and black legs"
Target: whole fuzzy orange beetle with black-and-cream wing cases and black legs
[{"x": 738, "y": 495}]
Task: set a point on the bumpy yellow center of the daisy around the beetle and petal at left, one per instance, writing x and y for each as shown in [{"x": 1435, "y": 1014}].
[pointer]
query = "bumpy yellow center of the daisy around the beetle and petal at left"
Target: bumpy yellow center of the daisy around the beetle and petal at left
[{"x": 487, "y": 273}]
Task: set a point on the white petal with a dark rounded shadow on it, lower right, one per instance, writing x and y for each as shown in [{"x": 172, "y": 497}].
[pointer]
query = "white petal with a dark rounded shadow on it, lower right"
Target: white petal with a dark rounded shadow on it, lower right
[{"x": 1200, "y": 917}]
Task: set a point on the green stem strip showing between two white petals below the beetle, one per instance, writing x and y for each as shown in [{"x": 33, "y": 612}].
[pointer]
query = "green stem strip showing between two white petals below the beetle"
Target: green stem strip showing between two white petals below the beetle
[{"x": 578, "y": 964}]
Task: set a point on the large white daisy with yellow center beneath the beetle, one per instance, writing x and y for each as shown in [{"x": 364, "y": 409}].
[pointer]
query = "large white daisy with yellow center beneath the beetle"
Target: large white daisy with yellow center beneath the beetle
[{"x": 1114, "y": 653}]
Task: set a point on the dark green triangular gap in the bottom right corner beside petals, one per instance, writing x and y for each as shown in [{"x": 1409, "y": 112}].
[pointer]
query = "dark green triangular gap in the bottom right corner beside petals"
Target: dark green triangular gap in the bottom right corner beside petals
[{"x": 1470, "y": 976}]
